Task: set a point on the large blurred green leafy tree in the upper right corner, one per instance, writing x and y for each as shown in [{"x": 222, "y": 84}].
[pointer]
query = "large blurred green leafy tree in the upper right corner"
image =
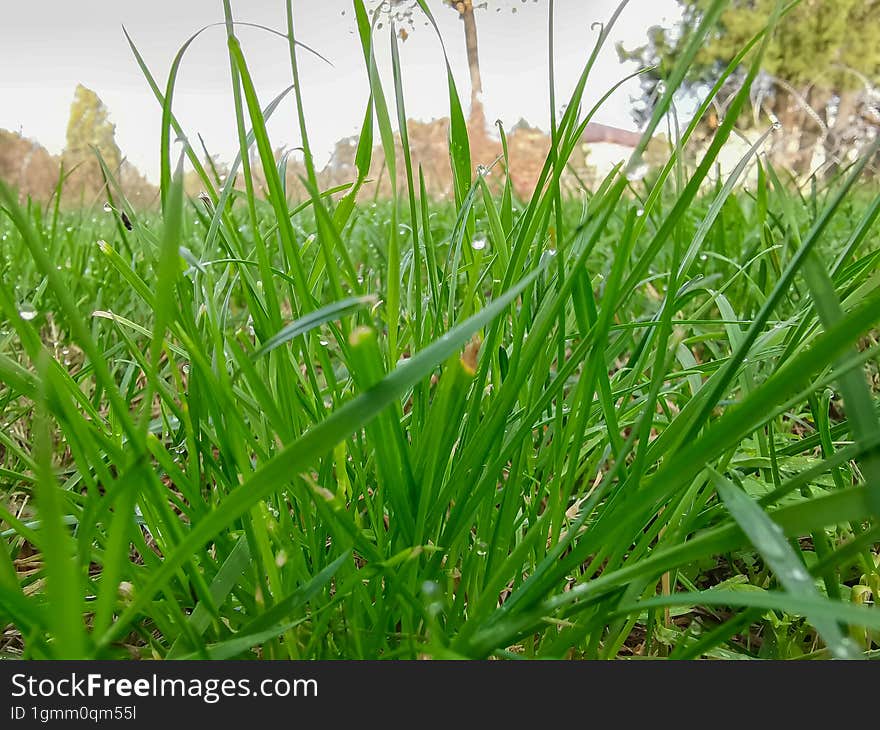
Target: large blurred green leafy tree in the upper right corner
[{"x": 820, "y": 72}]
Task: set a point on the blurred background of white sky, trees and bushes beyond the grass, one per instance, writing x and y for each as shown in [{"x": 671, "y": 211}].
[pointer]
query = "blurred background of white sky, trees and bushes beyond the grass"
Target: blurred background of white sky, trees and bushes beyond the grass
[{"x": 70, "y": 84}]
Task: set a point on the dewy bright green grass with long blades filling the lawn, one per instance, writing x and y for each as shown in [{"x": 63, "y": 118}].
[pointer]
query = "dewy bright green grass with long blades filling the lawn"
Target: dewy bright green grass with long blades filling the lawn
[{"x": 641, "y": 422}]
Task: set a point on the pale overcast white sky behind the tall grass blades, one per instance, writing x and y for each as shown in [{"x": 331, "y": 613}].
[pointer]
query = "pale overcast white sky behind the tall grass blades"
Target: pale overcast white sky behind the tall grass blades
[{"x": 48, "y": 46}]
